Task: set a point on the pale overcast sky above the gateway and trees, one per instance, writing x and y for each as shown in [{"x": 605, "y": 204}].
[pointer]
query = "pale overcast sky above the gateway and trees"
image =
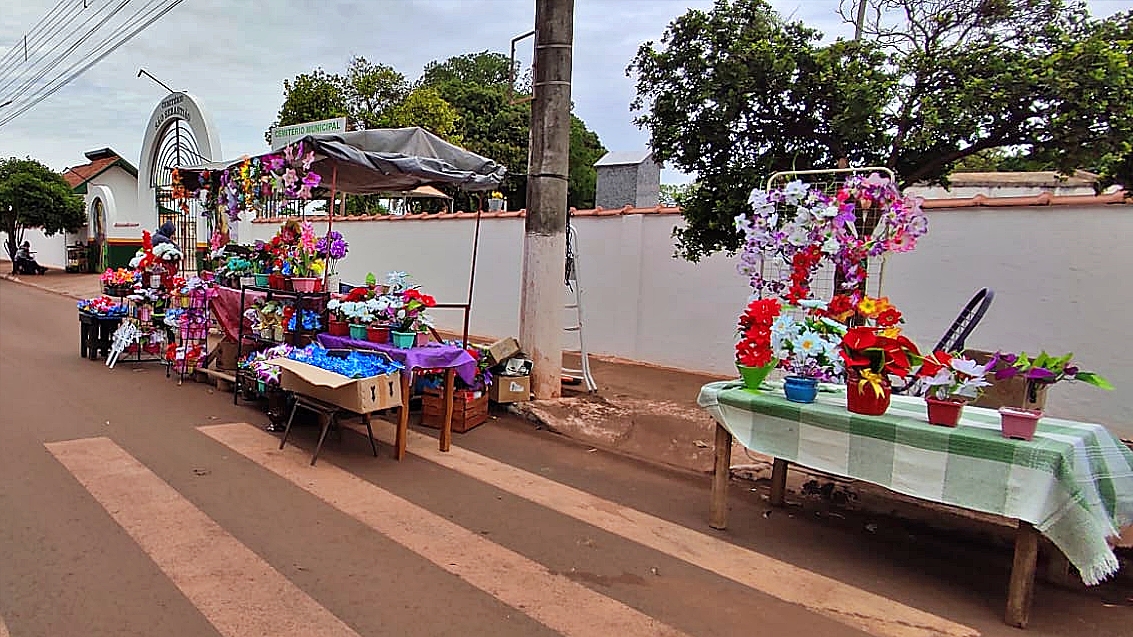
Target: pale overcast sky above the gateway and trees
[{"x": 235, "y": 55}]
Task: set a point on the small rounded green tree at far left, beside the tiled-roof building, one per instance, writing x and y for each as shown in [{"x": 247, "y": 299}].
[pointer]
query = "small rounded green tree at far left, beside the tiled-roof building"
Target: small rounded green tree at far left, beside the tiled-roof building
[{"x": 35, "y": 197}]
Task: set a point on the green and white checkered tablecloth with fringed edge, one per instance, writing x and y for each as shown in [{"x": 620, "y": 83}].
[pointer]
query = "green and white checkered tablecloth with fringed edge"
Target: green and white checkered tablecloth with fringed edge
[{"x": 1074, "y": 482}]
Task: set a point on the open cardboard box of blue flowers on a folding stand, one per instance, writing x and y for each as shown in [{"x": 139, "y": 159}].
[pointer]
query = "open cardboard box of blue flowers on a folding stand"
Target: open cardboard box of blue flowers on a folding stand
[{"x": 361, "y": 396}]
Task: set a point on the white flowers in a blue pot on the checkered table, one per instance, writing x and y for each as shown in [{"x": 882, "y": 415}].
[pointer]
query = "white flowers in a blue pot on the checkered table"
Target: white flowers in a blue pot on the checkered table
[{"x": 807, "y": 350}]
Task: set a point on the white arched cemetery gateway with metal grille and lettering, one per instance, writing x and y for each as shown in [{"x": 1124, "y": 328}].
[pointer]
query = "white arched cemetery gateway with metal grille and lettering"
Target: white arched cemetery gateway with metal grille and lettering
[{"x": 180, "y": 133}]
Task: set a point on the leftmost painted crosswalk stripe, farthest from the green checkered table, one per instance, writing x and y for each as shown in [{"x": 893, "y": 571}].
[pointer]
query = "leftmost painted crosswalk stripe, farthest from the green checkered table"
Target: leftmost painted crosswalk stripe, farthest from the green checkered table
[{"x": 234, "y": 589}]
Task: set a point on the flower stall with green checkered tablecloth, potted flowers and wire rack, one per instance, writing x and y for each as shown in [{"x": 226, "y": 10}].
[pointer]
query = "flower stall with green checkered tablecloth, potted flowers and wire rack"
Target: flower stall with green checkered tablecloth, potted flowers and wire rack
[{"x": 858, "y": 400}]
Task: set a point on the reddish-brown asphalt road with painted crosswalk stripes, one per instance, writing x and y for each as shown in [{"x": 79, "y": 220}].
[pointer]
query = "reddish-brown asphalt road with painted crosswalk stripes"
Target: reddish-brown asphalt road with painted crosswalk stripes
[{"x": 133, "y": 506}]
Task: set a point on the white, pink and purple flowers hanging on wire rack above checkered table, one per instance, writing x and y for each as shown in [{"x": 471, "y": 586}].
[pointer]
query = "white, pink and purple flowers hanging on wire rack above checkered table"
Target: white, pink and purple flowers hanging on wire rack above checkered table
[{"x": 802, "y": 226}]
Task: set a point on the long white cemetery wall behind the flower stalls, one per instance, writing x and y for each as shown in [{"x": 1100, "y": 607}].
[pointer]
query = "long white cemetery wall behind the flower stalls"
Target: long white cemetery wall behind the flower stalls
[{"x": 1059, "y": 276}]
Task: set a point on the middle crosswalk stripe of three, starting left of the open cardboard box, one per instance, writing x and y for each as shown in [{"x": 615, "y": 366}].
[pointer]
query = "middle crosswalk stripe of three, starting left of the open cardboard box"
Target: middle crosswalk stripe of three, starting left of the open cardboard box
[{"x": 552, "y": 600}]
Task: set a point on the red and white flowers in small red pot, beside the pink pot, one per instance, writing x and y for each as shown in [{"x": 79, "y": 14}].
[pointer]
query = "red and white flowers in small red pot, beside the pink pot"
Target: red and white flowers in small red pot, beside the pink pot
[{"x": 949, "y": 381}]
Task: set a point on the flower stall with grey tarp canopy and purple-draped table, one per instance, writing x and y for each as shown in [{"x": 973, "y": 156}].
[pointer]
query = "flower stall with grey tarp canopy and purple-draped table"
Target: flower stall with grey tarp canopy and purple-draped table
[{"x": 287, "y": 287}]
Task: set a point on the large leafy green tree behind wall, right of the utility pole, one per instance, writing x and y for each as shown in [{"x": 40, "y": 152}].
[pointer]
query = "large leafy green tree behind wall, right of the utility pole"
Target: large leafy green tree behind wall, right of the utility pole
[{"x": 737, "y": 94}]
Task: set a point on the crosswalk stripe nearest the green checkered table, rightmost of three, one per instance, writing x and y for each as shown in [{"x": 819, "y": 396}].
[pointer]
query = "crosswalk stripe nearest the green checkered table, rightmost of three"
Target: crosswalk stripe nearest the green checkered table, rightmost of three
[{"x": 842, "y": 602}]
